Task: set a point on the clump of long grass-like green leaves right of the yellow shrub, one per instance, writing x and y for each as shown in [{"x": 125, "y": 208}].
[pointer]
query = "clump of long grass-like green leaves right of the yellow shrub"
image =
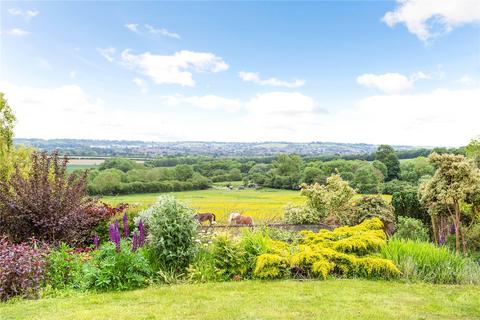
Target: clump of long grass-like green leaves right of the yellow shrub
[{"x": 421, "y": 261}]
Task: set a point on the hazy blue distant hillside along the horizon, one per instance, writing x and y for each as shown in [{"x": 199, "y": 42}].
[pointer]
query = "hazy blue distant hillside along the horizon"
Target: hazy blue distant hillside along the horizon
[{"x": 186, "y": 148}]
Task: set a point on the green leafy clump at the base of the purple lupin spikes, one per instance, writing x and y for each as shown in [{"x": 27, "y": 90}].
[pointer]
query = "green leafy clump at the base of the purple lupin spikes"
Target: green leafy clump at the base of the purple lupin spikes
[{"x": 112, "y": 270}]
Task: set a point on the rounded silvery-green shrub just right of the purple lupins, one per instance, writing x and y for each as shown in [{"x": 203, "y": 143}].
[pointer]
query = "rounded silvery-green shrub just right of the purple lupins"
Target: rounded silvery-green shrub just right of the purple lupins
[{"x": 171, "y": 232}]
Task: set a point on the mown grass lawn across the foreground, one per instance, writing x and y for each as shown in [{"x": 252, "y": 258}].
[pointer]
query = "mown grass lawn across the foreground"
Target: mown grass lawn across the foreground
[{"x": 332, "y": 299}]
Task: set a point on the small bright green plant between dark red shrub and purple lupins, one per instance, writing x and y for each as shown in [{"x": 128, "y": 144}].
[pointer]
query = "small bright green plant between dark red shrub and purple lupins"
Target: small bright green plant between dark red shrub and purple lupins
[{"x": 64, "y": 268}]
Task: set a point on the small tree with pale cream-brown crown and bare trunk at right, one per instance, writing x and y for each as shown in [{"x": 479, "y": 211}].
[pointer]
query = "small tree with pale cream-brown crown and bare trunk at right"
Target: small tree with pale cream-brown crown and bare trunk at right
[{"x": 455, "y": 178}]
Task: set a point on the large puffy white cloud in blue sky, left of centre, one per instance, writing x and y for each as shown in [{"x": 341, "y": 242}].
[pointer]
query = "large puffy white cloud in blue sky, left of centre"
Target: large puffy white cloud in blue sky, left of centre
[{"x": 176, "y": 68}]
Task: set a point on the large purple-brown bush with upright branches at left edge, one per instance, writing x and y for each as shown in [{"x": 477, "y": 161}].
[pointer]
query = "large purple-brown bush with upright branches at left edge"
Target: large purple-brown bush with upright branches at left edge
[{"x": 48, "y": 204}]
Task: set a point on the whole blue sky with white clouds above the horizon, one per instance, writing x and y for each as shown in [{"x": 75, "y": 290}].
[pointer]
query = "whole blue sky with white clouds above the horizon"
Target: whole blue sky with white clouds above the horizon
[{"x": 403, "y": 72}]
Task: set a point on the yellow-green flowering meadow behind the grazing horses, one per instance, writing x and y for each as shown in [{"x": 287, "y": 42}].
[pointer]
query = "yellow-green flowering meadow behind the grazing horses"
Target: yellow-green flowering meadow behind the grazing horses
[{"x": 263, "y": 205}]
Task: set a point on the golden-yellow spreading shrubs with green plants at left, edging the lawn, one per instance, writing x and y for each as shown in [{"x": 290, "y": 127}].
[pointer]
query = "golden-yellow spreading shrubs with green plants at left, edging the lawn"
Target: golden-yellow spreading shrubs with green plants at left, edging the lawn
[{"x": 344, "y": 252}]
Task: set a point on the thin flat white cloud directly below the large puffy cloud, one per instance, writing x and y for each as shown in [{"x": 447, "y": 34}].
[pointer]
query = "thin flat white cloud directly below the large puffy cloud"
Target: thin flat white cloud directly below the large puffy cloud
[{"x": 207, "y": 102}]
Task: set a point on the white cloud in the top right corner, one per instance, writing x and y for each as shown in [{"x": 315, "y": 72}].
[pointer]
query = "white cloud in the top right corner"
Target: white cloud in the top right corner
[{"x": 429, "y": 18}]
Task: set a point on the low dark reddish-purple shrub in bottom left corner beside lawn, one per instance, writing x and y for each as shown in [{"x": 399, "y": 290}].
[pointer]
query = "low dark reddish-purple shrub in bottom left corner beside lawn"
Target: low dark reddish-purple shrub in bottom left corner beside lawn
[{"x": 21, "y": 269}]
